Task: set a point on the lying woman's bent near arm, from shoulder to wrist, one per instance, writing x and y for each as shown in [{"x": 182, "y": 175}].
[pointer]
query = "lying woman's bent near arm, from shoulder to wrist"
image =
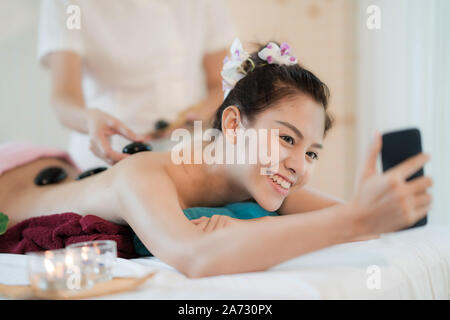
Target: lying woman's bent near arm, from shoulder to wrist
[{"x": 149, "y": 204}]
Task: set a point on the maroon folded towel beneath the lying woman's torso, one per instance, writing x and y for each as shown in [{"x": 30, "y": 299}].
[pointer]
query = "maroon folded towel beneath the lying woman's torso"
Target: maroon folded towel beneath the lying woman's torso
[{"x": 57, "y": 231}]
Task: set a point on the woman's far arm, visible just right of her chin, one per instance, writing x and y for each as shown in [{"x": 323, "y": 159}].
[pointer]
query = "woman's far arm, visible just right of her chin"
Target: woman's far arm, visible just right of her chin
[{"x": 307, "y": 199}]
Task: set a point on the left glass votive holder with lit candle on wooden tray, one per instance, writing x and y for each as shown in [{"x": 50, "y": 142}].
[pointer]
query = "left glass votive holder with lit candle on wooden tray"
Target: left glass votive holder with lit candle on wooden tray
[{"x": 55, "y": 271}]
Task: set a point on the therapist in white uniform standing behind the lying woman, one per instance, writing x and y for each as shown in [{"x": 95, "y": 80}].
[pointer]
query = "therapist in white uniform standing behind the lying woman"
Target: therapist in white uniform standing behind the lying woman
[{"x": 129, "y": 64}]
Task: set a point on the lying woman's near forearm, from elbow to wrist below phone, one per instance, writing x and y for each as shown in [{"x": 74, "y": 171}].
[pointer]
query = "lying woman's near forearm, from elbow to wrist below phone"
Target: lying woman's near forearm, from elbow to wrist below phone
[{"x": 265, "y": 243}]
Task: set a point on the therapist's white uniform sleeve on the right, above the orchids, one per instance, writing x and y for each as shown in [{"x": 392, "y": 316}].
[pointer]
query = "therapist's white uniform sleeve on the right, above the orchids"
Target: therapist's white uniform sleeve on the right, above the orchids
[{"x": 220, "y": 30}]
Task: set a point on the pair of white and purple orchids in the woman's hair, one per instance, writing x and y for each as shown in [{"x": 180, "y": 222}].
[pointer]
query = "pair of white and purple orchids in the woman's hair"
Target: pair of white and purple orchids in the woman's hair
[{"x": 232, "y": 70}]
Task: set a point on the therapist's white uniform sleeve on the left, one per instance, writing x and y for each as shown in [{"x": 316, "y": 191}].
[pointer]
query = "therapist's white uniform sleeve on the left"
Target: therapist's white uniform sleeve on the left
[{"x": 54, "y": 35}]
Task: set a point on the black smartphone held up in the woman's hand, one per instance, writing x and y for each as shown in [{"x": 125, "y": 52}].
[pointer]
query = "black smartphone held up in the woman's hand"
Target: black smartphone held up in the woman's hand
[{"x": 399, "y": 146}]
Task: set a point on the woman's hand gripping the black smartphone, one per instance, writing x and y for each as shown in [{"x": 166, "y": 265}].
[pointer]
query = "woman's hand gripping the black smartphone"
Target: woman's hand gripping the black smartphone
[{"x": 387, "y": 202}]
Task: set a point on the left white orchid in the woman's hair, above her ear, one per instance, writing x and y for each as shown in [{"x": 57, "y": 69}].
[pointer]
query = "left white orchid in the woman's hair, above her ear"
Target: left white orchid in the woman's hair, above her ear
[{"x": 231, "y": 72}]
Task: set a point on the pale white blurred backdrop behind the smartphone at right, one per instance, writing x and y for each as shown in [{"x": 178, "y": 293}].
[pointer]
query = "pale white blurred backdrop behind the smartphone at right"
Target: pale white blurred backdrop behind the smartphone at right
[{"x": 404, "y": 81}]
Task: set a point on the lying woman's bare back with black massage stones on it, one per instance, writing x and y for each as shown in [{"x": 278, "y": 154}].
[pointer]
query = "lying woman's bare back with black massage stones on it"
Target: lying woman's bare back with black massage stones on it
[{"x": 21, "y": 199}]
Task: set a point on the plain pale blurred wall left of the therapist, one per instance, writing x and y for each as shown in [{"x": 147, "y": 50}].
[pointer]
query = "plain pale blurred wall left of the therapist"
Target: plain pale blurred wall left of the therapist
[{"x": 25, "y": 113}]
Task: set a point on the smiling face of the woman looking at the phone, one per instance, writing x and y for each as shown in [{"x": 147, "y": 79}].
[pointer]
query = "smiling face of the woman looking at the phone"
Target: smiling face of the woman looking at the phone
[{"x": 300, "y": 121}]
